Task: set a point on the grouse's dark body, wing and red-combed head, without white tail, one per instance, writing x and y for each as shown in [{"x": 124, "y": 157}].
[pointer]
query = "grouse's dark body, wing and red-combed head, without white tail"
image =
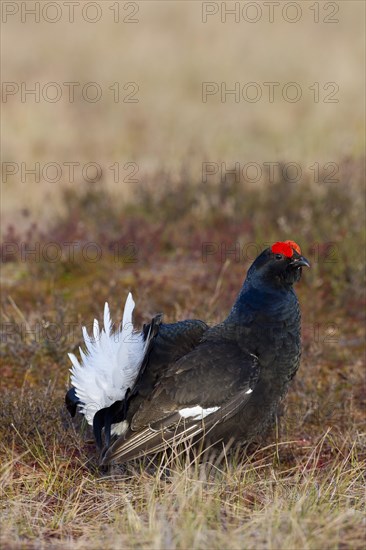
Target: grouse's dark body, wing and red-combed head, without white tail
[{"x": 223, "y": 382}]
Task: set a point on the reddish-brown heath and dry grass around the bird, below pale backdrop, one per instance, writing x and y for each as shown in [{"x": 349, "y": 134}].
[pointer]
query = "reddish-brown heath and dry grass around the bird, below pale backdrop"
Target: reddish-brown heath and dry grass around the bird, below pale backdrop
[{"x": 301, "y": 488}]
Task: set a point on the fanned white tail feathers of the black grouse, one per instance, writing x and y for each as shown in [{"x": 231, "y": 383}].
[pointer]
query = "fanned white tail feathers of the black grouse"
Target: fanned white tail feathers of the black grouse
[{"x": 110, "y": 364}]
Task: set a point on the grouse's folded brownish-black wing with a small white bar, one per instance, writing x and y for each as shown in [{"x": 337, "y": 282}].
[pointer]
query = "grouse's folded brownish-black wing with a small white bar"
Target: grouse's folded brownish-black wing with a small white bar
[{"x": 203, "y": 388}]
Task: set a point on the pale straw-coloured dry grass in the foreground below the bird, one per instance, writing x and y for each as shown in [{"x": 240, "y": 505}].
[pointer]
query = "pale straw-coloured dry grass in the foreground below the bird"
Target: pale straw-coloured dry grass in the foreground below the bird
[{"x": 293, "y": 494}]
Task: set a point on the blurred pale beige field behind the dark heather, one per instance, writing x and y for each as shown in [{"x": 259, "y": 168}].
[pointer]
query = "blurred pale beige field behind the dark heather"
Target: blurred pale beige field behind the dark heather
[{"x": 166, "y": 51}]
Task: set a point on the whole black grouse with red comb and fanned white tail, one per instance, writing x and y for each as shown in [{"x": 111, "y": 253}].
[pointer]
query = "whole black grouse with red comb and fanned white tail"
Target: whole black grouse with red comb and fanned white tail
[{"x": 150, "y": 390}]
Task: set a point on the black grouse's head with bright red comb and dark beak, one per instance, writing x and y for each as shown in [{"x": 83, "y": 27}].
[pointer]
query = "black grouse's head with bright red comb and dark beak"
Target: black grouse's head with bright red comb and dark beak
[{"x": 280, "y": 265}]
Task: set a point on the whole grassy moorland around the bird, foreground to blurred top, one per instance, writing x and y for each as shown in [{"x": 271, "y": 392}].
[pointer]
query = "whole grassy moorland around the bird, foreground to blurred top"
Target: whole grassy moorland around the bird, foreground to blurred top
[{"x": 302, "y": 485}]
